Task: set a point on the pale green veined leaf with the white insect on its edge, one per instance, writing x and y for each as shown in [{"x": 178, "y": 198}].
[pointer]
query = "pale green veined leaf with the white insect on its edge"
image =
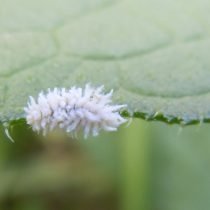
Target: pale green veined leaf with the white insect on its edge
[{"x": 154, "y": 54}]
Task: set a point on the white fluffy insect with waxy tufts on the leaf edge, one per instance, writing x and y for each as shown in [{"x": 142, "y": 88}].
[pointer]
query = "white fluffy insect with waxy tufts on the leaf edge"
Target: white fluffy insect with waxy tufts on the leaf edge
[{"x": 76, "y": 109}]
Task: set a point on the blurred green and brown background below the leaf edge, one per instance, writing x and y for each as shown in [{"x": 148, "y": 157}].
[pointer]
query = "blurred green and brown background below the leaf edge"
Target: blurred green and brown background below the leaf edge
[{"x": 147, "y": 165}]
